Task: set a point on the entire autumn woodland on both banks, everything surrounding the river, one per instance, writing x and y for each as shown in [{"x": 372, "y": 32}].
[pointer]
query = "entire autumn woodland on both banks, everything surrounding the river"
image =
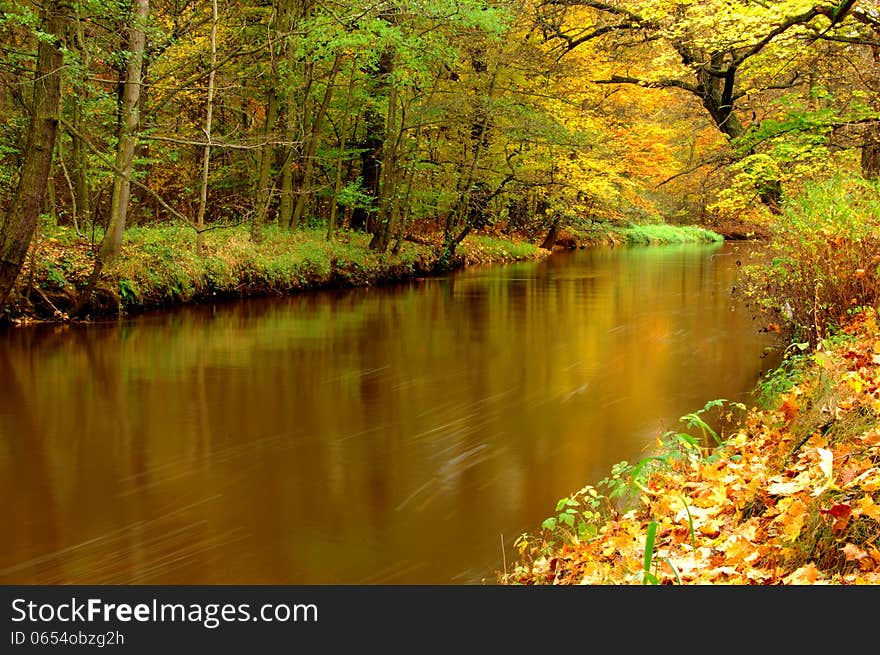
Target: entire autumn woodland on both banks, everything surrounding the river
[{"x": 158, "y": 152}]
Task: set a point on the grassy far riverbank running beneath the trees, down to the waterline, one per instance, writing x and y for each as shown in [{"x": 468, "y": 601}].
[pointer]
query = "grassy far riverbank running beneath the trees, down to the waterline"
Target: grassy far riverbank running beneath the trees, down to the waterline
[{"x": 161, "y": 267}]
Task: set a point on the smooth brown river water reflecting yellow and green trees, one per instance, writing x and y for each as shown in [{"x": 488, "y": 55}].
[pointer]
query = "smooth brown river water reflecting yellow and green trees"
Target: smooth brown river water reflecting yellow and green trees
[{"x": 383, "y": 435}]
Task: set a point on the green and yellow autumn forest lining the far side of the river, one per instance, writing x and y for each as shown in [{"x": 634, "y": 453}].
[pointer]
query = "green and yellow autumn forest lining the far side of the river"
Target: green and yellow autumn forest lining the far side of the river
[{"x": 204, "y": 129}]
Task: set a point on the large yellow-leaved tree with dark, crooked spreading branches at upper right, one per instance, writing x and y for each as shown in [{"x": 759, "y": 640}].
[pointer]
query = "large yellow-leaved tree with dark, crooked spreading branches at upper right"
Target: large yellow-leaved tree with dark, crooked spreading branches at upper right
[{"x": 715, "y": 43}]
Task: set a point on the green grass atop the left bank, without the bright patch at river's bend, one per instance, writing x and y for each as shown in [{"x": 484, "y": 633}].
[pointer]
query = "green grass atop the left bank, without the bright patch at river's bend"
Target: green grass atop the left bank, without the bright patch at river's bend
[{"x": 160, "y": 265}]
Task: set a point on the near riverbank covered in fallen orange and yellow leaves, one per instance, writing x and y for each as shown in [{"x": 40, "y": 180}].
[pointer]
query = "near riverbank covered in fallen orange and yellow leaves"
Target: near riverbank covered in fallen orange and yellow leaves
[{"x": 790, "y": 496}]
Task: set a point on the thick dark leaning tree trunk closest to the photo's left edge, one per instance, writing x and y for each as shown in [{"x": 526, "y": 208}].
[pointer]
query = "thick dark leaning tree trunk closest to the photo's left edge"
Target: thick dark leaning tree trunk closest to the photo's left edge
[{"x": 24, "y": 211}]
